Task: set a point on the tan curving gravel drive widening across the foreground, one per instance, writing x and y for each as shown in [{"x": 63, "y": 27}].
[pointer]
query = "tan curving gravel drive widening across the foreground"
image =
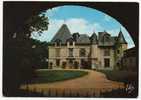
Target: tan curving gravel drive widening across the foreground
[{"x": 94, "y": 81}]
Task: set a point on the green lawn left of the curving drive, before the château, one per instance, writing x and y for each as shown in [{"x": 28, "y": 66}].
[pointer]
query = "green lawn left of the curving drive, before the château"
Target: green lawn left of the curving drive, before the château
[{"x": 47, "y": 76}]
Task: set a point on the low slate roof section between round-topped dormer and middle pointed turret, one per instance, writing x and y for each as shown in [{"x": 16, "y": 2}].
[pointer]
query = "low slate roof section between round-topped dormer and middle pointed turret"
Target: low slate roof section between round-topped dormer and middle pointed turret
[{"x": 83, "y": 38}]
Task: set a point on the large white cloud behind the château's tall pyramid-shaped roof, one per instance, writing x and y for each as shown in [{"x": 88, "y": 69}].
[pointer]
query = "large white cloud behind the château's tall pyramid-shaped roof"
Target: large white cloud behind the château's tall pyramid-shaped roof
[{"x": 74, "y": 24}]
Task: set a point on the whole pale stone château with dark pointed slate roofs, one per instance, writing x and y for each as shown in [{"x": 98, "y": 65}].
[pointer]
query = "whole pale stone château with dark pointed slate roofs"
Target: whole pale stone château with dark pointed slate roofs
[{"x": 101, "y": 51}]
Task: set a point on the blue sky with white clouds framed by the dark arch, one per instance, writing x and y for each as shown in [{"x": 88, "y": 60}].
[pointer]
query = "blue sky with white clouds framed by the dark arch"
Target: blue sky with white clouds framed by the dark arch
[{"x": 83, "y": 20}]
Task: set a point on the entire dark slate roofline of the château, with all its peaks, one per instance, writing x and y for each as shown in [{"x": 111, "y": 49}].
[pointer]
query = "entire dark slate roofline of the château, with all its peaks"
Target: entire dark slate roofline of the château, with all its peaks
[{"x": 103, "y": 38}]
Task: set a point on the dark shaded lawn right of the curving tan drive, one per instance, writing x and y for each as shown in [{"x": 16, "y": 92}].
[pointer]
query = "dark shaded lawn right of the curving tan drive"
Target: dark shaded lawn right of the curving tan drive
[{"x": 121, "y": 76}]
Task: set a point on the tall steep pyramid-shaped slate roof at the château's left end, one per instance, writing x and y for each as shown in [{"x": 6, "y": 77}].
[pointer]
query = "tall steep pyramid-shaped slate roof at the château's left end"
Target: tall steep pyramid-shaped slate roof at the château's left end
[{"x": 63, "y": 34}]
